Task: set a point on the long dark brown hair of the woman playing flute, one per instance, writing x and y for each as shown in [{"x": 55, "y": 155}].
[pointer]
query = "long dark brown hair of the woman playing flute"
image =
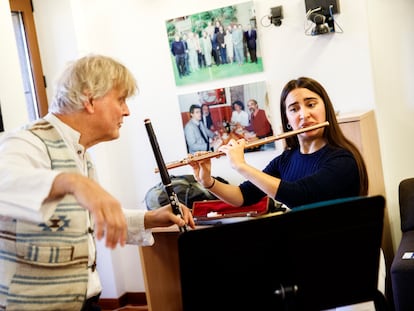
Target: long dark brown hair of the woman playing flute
[{"x": 332, "y": 133}]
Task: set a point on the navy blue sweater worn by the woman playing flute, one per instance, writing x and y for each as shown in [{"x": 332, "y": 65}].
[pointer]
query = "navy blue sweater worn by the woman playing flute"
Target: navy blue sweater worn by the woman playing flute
[{"x": 329, "y": 173}]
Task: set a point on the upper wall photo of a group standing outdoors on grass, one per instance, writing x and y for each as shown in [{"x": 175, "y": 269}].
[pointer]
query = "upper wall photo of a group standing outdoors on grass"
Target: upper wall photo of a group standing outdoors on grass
[{"x": 215, "y": 44}]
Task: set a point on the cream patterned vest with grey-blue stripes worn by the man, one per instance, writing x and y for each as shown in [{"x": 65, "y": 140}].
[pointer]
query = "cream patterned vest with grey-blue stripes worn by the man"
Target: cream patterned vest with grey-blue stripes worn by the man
[{"x": 44, "y": 266}]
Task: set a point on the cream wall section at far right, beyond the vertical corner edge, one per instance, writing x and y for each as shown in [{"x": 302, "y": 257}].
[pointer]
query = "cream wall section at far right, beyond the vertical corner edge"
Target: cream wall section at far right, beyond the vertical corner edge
[{"x": 392, "y": 50}]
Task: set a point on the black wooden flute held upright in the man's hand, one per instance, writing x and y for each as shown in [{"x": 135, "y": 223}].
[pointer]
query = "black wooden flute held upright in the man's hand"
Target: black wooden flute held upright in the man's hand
[{"x": 165, "y": 177}]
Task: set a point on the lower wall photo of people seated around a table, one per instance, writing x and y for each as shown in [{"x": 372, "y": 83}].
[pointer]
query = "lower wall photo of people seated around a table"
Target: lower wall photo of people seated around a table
[{"x": 211, "y": 118}]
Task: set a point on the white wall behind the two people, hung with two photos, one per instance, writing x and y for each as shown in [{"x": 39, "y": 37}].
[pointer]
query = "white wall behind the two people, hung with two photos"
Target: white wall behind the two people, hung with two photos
[{"x": 368, "y": 66}]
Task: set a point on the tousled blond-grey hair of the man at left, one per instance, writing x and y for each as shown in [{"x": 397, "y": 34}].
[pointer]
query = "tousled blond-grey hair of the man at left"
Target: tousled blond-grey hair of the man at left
[{"x": 90, "y": 77}]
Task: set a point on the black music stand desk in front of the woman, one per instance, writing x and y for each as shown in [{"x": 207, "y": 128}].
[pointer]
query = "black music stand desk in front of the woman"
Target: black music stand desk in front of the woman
[{"x": 314, "y": 257}]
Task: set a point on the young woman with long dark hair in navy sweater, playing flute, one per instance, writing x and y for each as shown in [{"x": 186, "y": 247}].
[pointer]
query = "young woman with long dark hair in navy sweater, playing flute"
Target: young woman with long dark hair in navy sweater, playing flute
[{"x": 317, "y": 165}]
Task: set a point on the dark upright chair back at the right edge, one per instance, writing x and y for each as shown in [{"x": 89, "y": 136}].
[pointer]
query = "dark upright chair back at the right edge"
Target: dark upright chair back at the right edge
[{"x": 406, "y": 200}]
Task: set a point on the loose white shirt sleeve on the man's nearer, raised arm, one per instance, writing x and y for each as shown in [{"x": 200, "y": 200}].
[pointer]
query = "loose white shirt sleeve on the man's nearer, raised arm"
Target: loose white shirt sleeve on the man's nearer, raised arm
[{"x": 25, "y": 180}]
